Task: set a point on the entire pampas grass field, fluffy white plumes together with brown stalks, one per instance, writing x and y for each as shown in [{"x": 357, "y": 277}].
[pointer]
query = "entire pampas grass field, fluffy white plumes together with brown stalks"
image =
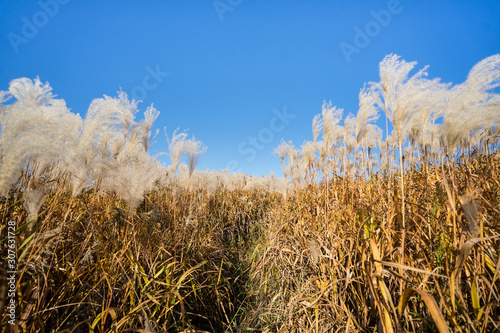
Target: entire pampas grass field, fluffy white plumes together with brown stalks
[{"x": 334, "y": 245}]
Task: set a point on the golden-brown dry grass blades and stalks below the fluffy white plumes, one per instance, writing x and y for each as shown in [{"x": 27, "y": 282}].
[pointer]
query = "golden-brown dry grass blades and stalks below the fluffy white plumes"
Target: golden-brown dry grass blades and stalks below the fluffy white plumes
[{"x": 249, "y": 261}]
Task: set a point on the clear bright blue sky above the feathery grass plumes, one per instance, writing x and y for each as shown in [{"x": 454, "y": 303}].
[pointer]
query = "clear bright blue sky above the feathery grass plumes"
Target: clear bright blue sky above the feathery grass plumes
[{"x": 230, "y": 63}]
